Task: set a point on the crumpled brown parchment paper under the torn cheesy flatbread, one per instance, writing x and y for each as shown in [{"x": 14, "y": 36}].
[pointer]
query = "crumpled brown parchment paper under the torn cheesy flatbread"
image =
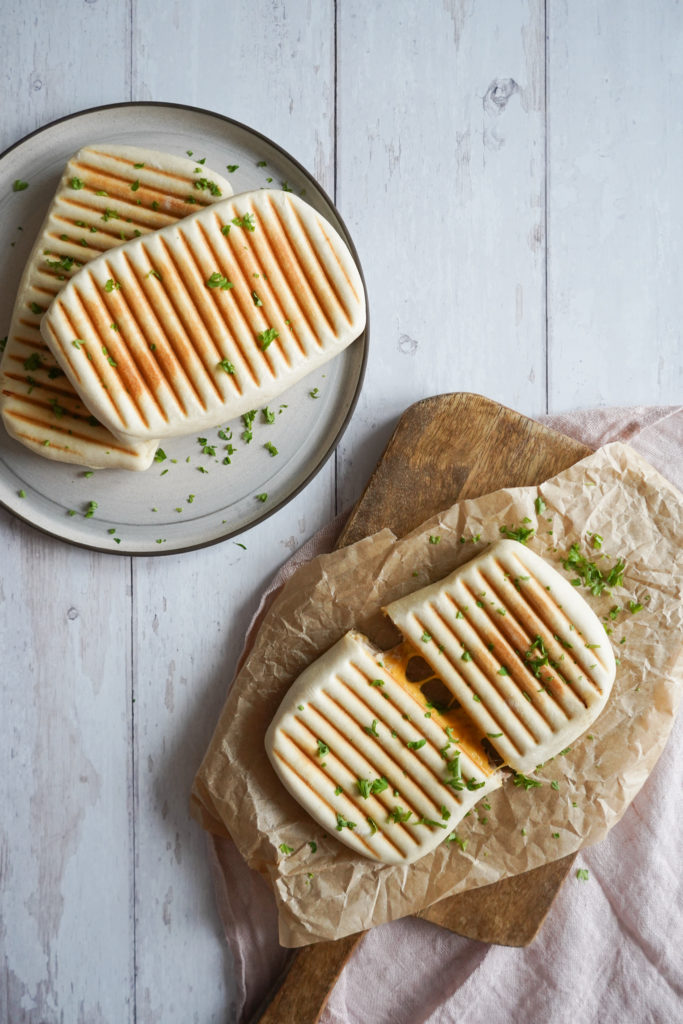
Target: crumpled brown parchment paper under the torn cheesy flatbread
[{"x": 333, "y": 892}]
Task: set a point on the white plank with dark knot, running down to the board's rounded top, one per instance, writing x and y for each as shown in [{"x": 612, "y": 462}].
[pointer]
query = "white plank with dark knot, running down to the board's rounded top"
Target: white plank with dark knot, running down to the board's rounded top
[{"x": 441, "y": 180}]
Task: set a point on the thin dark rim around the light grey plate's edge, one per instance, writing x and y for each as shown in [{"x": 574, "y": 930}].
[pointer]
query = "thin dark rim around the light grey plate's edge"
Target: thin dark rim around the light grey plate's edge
[{"x": 335, "y": 443}]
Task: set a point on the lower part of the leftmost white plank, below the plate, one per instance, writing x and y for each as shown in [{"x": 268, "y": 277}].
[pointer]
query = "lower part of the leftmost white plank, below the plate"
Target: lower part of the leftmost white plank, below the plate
[{"x": 66, "y": 856}]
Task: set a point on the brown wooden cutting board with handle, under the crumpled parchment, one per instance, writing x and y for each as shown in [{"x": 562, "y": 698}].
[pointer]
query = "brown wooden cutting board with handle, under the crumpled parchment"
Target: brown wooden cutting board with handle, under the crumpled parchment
[{"x": 445, "y": 449}]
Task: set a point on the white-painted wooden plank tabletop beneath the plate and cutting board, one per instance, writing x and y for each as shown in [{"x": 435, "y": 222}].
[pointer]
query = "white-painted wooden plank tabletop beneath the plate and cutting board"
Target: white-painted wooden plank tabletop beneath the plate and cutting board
[{"x": 510, "y": 172}]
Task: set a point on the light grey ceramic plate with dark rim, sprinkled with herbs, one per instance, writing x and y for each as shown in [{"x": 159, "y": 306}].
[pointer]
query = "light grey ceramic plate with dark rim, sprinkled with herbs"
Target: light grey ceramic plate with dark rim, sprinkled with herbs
[{"x": 152, "y": 513}]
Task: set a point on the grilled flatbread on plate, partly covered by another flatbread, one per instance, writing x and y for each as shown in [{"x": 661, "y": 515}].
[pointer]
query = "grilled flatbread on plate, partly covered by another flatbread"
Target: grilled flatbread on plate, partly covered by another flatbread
[{"x": 107, "y": 196}]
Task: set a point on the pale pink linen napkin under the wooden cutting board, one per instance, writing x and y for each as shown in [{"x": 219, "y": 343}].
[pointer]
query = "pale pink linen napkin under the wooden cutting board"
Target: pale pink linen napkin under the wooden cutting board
[{"x": 611, "y": 948}]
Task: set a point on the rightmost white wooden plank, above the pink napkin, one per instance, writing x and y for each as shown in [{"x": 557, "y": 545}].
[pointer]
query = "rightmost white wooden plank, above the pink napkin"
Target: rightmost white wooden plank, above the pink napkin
[{"x": 615, "y": 203}]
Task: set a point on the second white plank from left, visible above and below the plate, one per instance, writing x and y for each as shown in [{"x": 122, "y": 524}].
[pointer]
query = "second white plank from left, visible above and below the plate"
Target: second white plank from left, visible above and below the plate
[{"x": 192, "y": 613}]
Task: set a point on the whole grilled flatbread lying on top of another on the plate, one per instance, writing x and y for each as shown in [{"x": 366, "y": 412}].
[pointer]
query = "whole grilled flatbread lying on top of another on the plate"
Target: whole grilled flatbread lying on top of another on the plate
[{"x": 217, "y": 315}]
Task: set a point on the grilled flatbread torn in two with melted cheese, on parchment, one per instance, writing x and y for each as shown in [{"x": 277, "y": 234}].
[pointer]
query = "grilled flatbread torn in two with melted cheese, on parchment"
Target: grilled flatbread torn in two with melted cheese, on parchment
[{"x": 526, "y": 668}]
